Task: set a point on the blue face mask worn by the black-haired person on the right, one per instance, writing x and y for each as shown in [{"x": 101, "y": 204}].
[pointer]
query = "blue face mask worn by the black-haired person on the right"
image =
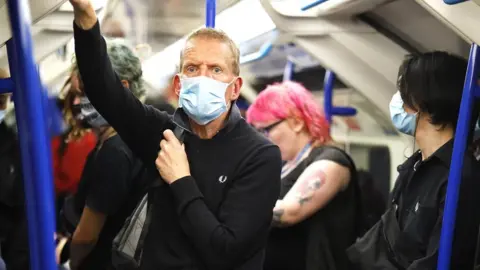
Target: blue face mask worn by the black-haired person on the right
[{"x": 403, "y": 121}]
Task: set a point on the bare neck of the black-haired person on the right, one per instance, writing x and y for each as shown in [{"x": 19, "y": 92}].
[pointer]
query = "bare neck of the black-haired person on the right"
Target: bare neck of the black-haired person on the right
[{"x": 430, "y": 139}]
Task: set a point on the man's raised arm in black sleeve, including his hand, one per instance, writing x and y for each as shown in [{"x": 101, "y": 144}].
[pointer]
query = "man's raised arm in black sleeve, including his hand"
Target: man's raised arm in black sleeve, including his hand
[{"x": 139, "y": 126}]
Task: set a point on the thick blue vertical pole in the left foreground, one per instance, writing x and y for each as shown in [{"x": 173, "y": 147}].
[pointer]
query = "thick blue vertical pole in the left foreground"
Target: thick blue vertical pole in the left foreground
[{"x": 34, "y": 142}]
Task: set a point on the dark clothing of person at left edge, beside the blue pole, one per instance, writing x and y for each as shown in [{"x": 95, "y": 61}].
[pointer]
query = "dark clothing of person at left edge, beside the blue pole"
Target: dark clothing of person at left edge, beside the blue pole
[{"x": 13, "y": 219}]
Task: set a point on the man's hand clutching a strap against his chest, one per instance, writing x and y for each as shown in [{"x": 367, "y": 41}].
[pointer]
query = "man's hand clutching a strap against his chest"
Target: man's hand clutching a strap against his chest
[{"x": 172, "y": 162}]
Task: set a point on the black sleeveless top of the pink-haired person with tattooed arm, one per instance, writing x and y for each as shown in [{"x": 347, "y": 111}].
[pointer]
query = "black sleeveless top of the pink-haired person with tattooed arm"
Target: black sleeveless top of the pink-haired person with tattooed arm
[{"x": 318, "y": 242}]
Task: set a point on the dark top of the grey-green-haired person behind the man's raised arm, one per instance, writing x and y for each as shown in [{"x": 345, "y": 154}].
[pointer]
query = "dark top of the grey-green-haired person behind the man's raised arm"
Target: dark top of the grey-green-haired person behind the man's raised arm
[{"x": 110, "y": 179}]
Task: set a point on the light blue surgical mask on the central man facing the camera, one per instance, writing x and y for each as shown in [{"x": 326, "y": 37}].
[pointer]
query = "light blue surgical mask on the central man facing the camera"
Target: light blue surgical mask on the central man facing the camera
[{"x": 203, "y": 98}]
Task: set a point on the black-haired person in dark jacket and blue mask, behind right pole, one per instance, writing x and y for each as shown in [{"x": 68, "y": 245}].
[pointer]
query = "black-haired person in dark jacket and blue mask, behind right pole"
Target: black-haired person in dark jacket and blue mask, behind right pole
[{"x": 426, "y": 107}]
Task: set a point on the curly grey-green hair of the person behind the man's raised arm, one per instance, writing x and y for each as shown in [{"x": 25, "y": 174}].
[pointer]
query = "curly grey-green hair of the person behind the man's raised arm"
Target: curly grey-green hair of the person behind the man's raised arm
[{"x": 126, "y": 64}]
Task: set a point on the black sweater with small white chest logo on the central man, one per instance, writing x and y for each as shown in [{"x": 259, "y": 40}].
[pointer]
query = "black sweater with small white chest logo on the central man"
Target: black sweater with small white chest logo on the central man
[{"x": 219, "y": 217}]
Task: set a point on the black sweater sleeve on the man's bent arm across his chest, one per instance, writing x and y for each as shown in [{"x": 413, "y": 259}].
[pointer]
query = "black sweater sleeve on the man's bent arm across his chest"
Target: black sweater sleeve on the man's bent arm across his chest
[{"x": 244, "y": 216}]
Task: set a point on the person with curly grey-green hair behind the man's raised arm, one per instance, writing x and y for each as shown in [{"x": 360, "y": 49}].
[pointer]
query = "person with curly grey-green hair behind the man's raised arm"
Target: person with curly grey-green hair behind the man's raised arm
[{"x": 112, "y": 180}]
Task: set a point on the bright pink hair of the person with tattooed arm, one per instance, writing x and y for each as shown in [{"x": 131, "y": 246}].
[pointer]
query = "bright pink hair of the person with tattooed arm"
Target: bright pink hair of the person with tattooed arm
[{"x": 290, "y": 99}]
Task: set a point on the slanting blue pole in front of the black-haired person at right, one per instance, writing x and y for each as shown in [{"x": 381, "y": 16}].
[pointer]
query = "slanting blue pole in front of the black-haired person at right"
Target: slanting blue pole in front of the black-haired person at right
[{"x": 459, "y": 146}]
